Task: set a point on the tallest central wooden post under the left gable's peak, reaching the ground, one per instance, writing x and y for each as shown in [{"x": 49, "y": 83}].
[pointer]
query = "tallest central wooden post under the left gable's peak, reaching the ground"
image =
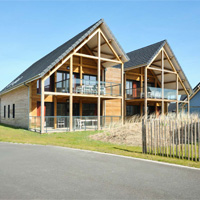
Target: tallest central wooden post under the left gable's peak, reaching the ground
[{"x": 99, "y": 79}]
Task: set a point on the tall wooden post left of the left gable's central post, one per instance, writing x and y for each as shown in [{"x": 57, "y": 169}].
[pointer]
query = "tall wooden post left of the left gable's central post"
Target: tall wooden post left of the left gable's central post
[{"x": 71, "y": 97}]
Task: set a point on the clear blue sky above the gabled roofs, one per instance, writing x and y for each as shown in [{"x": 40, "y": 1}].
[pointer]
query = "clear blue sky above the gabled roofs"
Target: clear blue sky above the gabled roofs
[{"x": 31, "y": 29}]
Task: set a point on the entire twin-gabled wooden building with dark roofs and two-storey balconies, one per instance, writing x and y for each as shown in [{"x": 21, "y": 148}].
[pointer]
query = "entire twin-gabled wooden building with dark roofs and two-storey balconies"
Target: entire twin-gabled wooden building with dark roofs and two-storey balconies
[{"x": 90, "y": 82}]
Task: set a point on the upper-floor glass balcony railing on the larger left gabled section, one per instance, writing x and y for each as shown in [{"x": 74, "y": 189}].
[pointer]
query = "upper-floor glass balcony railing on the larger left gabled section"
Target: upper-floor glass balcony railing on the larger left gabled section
[{"x": 82, "y": 86}]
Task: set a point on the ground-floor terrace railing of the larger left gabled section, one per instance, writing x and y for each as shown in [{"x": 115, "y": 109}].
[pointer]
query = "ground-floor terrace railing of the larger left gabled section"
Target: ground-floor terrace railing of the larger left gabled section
[{"x": 61, "y": 123}]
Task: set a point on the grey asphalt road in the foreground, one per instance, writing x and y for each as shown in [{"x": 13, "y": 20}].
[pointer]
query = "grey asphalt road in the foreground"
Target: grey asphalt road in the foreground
[{"x": 47, "y": 172}]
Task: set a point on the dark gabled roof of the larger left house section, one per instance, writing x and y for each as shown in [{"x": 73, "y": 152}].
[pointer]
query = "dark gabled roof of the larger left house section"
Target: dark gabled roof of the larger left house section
[{"x": 42, "y": 66}]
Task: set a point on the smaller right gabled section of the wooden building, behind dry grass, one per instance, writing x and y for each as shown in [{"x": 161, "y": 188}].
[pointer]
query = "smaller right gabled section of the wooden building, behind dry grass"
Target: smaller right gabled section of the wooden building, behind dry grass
[{"x": 154, "y": 79}]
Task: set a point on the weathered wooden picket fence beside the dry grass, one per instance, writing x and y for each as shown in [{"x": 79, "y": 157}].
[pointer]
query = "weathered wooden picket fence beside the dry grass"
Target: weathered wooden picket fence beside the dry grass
[{"x": 172, "y": 138}]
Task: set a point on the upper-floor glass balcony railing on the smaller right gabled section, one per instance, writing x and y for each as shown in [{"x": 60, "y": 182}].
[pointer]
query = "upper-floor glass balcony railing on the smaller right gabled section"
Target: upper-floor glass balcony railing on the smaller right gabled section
[{"x": 152, "y": 93}]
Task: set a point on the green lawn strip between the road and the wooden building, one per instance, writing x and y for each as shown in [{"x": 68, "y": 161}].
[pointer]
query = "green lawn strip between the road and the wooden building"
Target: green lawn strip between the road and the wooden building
[{"x": 81, "y": 140}]
